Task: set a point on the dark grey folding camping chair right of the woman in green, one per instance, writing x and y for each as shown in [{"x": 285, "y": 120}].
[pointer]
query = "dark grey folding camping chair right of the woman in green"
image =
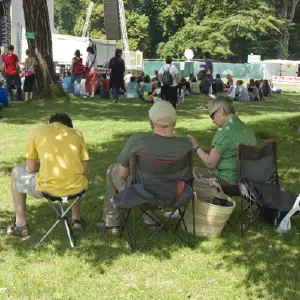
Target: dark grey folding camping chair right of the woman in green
[{"x": 258, "y": 164}]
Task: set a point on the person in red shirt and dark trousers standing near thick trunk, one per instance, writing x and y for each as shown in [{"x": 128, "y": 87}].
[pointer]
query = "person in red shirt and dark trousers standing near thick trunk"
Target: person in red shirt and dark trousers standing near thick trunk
[{"x": 10, "y": 68}]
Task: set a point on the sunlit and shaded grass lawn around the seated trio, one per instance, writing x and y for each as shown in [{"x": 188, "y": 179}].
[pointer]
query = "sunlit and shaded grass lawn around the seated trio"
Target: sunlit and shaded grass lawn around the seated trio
[{"x": 264, "y": 265}]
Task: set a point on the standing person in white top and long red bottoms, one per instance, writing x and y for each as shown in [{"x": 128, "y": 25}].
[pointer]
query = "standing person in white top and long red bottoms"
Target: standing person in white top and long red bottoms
[{"x": 91, "y": 74}]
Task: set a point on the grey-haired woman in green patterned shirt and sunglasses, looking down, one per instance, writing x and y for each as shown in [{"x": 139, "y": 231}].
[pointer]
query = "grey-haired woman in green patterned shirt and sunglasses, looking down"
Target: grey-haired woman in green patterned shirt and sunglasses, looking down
[{"x": 220, "y": 160}]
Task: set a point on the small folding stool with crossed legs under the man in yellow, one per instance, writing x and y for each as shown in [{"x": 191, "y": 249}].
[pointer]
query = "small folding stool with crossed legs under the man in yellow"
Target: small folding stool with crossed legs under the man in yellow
[{"x": 62, "y": 216}]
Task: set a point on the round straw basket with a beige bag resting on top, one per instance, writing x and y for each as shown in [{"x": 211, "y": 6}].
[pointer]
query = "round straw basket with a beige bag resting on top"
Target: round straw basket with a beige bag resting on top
[{"x": 210, "y": 219}]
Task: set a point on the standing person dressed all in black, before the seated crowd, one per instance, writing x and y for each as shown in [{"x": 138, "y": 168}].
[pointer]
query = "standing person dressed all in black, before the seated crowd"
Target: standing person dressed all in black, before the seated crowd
[{"x": 117, "y": 66}]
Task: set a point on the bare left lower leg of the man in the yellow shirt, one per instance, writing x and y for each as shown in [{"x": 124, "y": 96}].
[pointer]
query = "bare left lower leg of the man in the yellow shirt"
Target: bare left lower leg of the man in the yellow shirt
[{"x": 19, "y": 202}]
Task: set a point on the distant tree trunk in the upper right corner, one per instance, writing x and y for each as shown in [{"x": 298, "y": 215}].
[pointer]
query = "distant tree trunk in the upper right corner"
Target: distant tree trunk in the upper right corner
[{"x": 286, "y": 14}]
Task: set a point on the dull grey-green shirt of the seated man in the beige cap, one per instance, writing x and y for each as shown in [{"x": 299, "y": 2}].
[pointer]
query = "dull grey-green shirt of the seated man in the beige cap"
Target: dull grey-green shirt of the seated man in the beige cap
[{"x": 154, "y": 145}]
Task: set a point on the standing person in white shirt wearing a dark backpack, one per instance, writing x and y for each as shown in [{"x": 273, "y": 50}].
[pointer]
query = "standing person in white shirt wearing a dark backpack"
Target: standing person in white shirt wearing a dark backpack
[{"x": 168, "y": 75}]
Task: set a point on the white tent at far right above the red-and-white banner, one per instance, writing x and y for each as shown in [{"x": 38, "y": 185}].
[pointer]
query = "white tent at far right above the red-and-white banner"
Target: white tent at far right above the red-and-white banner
[{"x": 279, "y": 67}]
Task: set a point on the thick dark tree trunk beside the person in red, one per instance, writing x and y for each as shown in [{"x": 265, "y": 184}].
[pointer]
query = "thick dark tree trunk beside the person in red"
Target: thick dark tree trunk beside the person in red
[{"x": 37, "y": 21}]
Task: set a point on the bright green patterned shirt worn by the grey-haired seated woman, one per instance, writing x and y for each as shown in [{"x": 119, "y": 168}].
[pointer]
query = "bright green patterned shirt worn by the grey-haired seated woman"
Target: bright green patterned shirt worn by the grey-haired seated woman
[{"x": 226, "y": 142}]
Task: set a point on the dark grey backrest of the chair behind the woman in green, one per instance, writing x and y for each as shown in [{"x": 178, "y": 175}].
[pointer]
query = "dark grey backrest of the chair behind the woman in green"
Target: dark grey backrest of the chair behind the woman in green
[{"x": 258, "y": 163}]
